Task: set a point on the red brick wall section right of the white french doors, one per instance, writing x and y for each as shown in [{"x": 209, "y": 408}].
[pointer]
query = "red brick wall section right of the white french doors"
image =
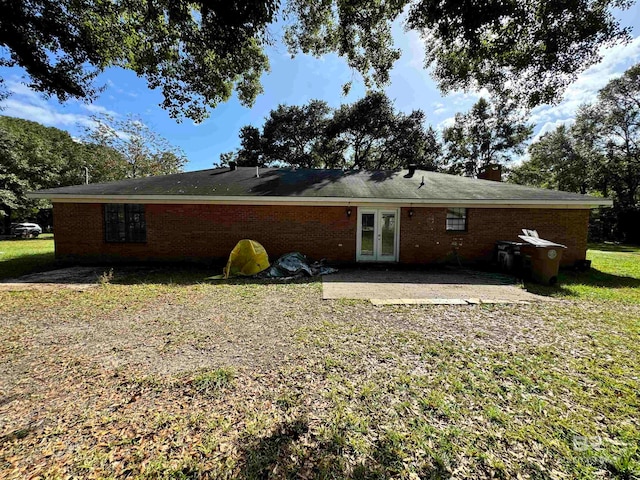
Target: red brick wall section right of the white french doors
[{"x": 424, "y": 239}]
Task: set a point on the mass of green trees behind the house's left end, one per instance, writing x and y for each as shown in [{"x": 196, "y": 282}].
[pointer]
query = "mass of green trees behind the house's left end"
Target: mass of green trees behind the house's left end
[{"x": 33, "y": 157}]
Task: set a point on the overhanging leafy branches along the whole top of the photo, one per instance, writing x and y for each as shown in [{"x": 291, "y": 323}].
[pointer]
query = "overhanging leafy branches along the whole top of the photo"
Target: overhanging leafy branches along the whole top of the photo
[{"x": 198, "y": 52}]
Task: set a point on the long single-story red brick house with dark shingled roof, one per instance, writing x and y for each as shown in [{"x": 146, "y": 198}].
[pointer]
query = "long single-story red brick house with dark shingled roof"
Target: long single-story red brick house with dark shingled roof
[{"x": 408, "y": 216}]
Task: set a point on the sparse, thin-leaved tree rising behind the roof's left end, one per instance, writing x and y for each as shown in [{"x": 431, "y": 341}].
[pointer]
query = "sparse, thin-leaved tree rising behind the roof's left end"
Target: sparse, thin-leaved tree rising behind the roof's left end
[{"x": 144, "y": 151}]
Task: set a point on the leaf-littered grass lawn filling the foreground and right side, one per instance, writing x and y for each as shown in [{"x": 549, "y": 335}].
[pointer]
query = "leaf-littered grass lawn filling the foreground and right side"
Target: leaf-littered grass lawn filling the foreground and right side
[{"x": 159, "y": 375}]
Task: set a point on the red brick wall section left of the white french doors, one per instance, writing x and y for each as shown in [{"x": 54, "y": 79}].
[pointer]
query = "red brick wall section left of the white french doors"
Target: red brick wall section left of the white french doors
[{"x": 210, "y": 231}]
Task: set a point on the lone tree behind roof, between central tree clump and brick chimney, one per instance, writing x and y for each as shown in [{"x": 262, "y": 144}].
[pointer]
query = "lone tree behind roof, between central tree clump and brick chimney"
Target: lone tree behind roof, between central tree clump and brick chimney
[{"x": 487, "y": 134}]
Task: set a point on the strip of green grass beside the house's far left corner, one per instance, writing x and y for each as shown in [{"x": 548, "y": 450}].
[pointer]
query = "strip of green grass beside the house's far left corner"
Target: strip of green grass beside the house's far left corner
[{"x": 19, "y": 257}]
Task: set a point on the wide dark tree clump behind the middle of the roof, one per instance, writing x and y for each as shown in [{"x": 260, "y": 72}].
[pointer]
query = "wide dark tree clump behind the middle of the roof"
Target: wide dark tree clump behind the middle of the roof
[{"x": 367, "y": 134}]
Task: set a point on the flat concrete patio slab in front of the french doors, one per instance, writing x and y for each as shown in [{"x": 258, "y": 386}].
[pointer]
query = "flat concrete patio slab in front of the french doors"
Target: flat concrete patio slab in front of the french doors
[{"x": 425, "y": 287}]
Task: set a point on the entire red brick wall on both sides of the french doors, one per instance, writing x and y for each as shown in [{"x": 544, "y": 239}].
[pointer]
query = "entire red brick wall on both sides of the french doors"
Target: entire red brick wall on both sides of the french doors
[{"x": 211, "y": 231}]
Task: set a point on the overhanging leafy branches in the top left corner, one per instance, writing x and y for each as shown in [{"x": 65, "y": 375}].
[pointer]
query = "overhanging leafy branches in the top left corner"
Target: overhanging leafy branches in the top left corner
[{"x": 196, "y": 53}]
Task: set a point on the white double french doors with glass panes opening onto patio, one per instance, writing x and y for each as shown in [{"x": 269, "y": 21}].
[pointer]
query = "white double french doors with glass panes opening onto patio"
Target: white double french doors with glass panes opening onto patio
[{"x": 377, "y": 235}]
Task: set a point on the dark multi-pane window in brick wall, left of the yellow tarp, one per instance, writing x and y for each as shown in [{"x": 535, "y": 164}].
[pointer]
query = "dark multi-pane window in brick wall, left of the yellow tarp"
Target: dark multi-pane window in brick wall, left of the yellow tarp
[{"x": 124, "y": 222}]
